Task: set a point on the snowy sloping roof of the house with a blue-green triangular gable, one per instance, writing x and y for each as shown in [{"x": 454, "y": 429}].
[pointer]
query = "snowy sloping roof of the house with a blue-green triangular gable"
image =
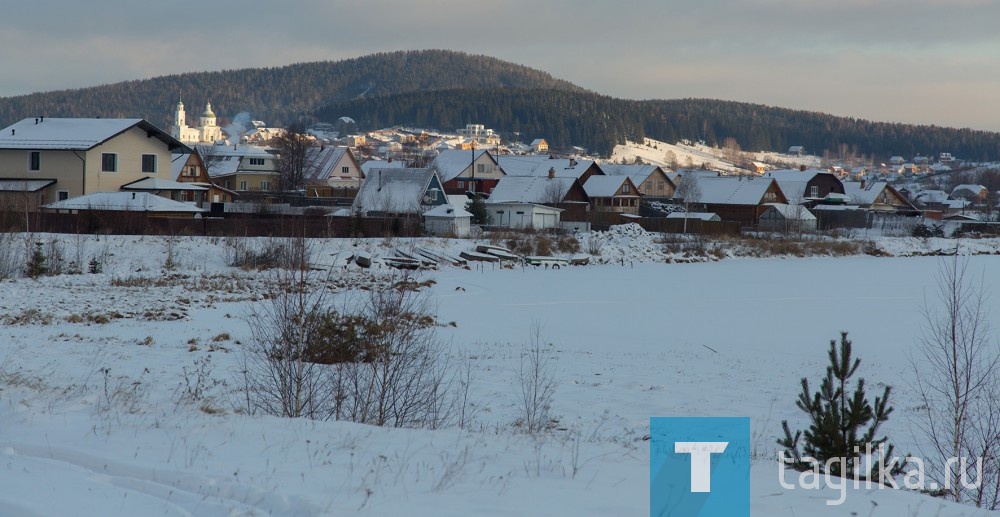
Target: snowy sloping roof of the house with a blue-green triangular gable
[{"x": 393, "y": 190}]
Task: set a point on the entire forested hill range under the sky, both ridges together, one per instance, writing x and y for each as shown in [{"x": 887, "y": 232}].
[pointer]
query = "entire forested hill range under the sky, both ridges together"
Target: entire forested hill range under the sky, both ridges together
[{"x": 446, "y": 90}]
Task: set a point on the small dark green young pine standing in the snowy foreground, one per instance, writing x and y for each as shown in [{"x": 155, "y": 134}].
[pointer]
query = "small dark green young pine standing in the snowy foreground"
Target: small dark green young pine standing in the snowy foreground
[{"x": 843, "y": 424}]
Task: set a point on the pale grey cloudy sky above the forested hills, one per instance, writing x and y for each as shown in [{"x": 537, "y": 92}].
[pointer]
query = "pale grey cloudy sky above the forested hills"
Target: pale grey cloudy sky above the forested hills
[{"x": 918, "y": 61}]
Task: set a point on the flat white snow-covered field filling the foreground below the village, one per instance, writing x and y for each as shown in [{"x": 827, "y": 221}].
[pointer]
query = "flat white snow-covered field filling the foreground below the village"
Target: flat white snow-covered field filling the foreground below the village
[{"x": 99, "y": 413}]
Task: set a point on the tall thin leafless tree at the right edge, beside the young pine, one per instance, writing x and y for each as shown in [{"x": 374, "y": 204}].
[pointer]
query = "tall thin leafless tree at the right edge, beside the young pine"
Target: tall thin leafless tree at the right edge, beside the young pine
[{"x": 955, "y": 374}]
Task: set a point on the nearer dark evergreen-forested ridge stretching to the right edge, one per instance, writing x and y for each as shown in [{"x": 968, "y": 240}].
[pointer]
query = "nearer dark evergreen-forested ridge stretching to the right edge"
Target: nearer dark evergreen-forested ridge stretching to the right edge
[{"x": 598, "y": 122}]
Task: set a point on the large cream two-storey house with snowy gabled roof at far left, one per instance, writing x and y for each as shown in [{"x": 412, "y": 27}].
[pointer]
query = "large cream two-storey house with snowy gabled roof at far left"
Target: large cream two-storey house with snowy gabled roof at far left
[{"x": 78, "y": 156}]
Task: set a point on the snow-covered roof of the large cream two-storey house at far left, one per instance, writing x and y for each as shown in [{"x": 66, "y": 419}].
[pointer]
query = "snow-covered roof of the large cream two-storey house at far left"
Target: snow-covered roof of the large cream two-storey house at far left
[{"x": 74, "y": 134}]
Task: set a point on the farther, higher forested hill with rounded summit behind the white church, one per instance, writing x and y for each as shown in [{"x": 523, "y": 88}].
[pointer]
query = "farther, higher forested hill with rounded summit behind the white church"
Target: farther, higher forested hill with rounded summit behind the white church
[{"x": 280, "y": 95}]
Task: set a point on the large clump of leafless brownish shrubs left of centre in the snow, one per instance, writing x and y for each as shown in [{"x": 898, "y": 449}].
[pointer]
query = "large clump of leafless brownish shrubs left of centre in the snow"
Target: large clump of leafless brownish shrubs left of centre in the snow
[{"x": 376, "y": 361}]
